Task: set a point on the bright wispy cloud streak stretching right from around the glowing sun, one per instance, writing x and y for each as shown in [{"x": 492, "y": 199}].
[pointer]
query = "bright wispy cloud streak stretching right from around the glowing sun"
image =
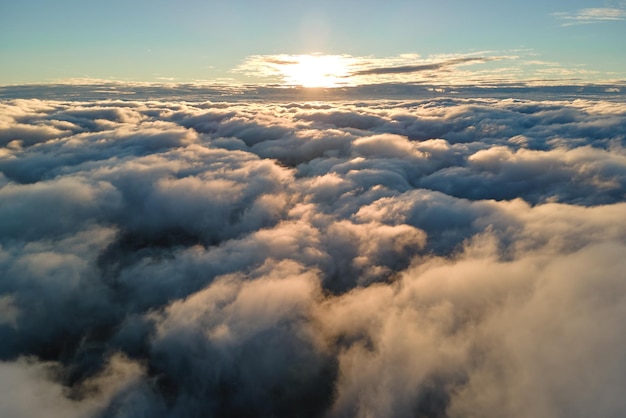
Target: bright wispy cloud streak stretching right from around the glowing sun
[{"x": 482, "y": 68}]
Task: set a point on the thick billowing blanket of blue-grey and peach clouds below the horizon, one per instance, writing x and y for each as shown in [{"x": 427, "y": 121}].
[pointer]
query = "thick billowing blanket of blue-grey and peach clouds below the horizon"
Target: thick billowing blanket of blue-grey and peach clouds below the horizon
[{"x": 446, "y": 257}]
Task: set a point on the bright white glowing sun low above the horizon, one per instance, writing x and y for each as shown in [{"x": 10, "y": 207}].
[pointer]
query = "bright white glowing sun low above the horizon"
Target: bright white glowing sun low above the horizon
[{"x": 316, "y": 71}]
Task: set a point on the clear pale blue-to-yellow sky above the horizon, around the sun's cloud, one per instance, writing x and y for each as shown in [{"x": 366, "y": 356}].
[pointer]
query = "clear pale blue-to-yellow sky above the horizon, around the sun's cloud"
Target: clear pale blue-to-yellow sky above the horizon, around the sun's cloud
[{"x": 219, "y": 41}]
